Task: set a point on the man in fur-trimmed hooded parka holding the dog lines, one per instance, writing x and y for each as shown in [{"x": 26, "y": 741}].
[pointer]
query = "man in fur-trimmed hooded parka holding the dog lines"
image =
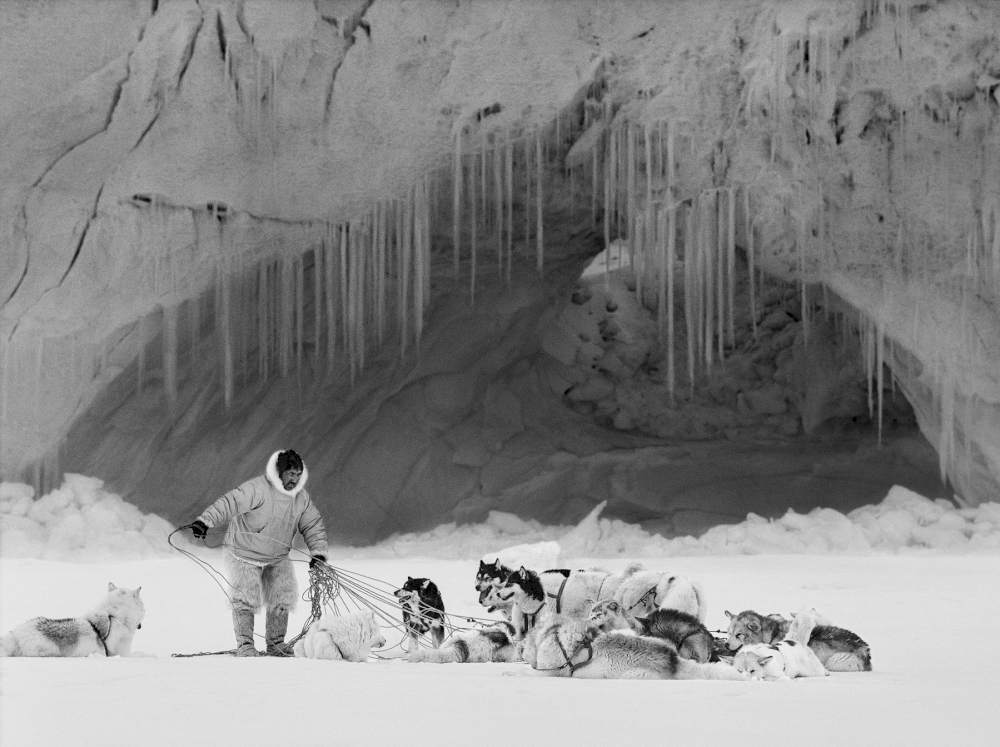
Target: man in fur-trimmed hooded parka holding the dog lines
[{"x": 264, "y": 514}]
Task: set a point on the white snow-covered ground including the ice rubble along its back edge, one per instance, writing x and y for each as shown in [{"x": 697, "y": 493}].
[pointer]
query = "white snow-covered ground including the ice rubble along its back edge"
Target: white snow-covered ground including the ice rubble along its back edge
[{"x": 921, "y": 589}]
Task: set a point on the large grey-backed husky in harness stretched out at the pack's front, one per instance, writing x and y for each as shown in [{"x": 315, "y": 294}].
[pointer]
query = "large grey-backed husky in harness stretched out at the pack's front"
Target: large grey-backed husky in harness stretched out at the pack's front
[{"x": 563, "y": 647}]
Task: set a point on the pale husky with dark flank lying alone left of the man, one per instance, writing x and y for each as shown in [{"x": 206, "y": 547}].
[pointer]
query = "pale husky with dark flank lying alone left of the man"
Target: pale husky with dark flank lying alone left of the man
[{"x": 106, "y": 631}]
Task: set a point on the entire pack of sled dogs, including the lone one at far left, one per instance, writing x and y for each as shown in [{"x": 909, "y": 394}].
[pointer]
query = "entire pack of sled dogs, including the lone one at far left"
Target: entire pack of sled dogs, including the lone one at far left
[{"x": 590, "y": 623}]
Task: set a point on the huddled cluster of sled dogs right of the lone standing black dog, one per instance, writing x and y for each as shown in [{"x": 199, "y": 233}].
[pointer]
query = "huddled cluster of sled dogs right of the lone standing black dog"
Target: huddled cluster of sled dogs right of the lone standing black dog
[{"x": 639, "y": 624}]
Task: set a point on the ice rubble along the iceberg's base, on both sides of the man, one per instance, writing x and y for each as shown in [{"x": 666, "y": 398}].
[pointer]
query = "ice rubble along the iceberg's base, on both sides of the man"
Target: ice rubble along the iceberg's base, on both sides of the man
[{"x": 81, "y": 521}]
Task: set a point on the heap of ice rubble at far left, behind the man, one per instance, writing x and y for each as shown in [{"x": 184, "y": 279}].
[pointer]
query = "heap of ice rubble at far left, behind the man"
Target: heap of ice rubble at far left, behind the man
[{"x": 79, "y": 521}]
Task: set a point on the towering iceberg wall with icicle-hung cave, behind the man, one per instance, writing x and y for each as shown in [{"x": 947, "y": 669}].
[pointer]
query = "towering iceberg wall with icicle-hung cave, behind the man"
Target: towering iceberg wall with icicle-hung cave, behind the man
[{"x": 692, "y": 258}]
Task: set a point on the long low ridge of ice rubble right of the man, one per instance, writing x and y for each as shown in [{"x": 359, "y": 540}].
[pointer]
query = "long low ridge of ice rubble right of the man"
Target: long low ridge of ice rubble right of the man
[{"x": 904, "y": 522}]
